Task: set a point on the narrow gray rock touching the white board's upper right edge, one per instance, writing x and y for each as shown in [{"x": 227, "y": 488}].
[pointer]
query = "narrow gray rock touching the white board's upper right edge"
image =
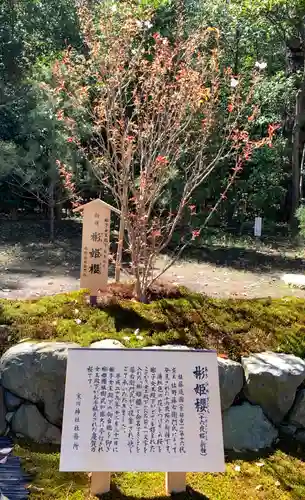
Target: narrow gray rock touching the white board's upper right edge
[{"x": 231, "y": 381}]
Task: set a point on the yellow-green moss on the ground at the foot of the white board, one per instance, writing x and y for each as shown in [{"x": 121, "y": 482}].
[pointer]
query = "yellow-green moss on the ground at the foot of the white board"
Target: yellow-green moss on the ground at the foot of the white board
[{"x": 282, "y": 477}]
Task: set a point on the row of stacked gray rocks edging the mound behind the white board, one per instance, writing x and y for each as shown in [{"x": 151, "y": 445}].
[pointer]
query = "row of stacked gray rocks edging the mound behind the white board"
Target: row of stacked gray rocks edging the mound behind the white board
[{"x": 261, "y": 397}]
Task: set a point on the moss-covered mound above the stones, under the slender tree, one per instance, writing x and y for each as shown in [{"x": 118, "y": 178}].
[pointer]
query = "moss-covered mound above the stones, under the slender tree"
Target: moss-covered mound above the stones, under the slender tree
[{"x": 231, "y": 326}]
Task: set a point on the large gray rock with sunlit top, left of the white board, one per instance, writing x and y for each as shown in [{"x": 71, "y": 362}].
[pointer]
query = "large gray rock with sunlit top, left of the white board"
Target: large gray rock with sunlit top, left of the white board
[{"x": 36, "y": 372}]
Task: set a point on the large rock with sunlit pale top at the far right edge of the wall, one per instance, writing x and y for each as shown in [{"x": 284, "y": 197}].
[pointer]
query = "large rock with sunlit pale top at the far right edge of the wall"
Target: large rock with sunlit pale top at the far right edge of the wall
[{"x": 272, "y": 380}]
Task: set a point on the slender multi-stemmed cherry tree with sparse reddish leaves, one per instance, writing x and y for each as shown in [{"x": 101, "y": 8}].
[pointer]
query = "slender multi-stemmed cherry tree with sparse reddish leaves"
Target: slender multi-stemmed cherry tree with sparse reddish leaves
[{"x": 152, "y": 108}]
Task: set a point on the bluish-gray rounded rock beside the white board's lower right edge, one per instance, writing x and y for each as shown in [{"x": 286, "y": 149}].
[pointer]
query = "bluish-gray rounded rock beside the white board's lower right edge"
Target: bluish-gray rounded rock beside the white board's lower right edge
[{"x": 245, "y": 427}]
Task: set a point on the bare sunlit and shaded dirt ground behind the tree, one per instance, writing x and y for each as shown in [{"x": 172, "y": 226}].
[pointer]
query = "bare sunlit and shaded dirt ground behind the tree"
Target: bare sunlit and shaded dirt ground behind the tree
[{"x": 30, "y": 266}]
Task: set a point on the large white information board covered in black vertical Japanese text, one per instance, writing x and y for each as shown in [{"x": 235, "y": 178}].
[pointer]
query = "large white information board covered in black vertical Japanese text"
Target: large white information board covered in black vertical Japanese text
[{"x": 142, "y": 410}]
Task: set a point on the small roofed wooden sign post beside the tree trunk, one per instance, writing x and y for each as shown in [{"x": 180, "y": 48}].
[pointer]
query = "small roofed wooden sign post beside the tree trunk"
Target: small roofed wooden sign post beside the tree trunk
[{"x": 95, "y": 246}]
